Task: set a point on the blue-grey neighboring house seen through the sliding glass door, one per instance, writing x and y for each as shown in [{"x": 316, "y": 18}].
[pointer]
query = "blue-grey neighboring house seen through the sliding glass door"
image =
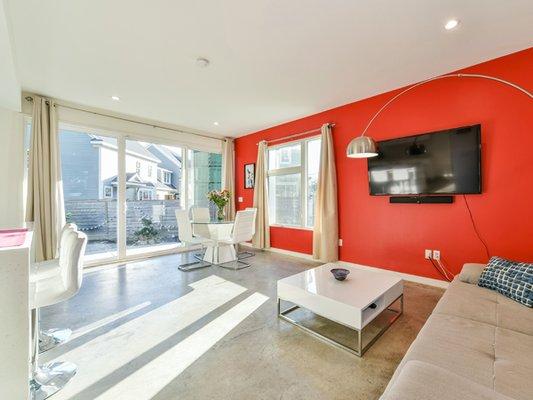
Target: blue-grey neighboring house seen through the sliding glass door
[{"x": 89, "y": 165}]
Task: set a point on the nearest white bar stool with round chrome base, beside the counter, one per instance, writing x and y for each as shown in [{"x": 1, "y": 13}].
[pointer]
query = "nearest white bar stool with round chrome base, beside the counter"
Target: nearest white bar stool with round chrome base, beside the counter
[{"x": 52, "y": 289}]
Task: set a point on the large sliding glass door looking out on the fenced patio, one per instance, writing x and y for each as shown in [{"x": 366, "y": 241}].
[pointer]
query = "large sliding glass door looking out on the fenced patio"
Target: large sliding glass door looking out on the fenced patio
[{"x": 124, "y": 193}]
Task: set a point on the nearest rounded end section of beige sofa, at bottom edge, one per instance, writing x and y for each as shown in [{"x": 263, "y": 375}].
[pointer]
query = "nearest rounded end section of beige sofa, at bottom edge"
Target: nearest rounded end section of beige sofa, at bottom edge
[{"x": 422, "y": 381}]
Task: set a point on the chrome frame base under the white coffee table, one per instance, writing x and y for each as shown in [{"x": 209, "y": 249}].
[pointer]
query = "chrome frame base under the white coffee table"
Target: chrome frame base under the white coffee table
[{"x": 360, "y": 349}]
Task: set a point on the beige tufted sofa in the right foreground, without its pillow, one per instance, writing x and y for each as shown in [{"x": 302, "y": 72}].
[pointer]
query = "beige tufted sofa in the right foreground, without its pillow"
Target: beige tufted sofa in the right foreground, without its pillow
[{"x": 477, "y": 344}]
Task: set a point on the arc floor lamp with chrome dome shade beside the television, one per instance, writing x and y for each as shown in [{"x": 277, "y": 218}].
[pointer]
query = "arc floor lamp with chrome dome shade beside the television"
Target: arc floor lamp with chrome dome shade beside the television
[{"x": 365, "y": 147}]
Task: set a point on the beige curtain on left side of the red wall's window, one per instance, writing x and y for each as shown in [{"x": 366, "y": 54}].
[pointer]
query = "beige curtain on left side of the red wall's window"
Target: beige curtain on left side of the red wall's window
[{"x": 261, "y": 239}]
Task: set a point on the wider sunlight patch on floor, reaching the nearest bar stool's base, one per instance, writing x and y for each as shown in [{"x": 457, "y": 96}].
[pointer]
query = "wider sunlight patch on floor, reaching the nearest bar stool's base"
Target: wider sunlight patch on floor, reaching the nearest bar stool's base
[{"x": 106, "y": 353}]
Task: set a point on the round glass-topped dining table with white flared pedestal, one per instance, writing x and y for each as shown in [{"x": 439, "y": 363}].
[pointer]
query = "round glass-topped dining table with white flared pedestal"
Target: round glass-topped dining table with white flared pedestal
[{"x": 216, "y": 253}]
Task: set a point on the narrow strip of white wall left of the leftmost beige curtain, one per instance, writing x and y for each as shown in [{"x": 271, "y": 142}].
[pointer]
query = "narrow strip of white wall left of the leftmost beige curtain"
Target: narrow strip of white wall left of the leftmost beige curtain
[{"x": 11, "y": 168}]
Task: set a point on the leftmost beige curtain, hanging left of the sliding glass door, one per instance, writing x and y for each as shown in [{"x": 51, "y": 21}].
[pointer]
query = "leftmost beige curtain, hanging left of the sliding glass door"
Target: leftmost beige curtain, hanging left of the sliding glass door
[{"x": 45, "y": 191}]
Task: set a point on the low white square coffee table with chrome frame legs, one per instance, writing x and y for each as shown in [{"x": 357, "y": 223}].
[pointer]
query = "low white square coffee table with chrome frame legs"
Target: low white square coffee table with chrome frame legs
[{"x": 354, "y": 302}]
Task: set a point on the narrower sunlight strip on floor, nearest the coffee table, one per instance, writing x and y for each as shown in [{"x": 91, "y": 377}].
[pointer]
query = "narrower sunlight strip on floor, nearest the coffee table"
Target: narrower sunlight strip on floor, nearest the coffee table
[{"x": 147, "y": 381}]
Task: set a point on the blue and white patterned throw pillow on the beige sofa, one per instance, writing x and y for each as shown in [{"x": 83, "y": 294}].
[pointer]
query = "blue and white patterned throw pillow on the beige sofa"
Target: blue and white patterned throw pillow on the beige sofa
[{"x": 512, "y": 279}]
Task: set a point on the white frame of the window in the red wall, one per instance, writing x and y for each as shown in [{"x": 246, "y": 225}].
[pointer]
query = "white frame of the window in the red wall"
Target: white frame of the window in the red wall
[{"x": 302, "y": 169}]
